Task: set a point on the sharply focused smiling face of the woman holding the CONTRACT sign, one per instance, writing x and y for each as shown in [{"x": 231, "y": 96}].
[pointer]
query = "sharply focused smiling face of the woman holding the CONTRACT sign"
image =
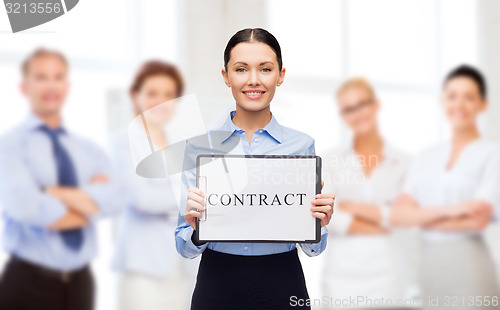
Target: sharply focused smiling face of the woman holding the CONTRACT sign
[{"x": 253, "y": 74}]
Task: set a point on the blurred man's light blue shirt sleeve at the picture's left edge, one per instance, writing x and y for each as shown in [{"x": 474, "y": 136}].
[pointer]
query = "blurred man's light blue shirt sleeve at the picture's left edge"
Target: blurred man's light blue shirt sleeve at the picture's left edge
[{"x": 21, "y": 198}]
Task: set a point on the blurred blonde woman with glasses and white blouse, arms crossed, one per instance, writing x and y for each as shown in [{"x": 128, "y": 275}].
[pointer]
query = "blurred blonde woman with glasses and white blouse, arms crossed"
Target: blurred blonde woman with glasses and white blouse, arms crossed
[{"x": 367, "y": 175}]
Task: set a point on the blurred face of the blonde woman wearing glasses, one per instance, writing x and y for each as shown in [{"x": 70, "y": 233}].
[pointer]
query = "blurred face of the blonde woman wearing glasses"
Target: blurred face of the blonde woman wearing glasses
[{"x": 358, "y": 109}]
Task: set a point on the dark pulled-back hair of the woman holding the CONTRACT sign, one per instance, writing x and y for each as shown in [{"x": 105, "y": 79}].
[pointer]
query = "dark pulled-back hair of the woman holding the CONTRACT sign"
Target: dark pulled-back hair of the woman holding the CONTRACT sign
[{"x": 253, "y": 35}]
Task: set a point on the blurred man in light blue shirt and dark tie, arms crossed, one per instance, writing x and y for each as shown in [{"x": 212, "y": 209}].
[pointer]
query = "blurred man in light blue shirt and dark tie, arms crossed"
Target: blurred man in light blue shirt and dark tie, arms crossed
[{"x": 54, "y": 186}]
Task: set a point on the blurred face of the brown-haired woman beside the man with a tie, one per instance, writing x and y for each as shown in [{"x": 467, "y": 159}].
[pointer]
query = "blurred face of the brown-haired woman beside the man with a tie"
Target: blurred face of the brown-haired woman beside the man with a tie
[{"x": 156, "y": 90}]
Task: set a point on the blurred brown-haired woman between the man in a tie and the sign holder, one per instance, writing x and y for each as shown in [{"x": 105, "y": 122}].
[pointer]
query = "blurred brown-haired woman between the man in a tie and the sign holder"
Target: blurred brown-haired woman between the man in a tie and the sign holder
[{"x": 153, "y": 276}]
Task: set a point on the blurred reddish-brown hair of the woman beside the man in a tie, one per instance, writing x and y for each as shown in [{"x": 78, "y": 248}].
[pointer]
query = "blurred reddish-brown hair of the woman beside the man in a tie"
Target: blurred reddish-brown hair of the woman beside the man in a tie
[{"x": 153, "y": 68}]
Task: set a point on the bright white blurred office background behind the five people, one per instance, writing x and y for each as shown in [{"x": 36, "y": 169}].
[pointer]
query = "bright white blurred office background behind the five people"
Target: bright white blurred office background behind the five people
[{"x": 403, "y": 47}]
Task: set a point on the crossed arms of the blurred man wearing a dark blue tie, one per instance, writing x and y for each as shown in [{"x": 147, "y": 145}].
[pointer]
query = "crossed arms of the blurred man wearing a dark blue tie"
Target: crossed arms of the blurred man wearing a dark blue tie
[{"x": 56, "y": 208}]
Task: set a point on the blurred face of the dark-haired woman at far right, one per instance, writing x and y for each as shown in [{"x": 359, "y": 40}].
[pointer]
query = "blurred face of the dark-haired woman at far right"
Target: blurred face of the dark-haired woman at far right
[{"x": 462, "y": 102}]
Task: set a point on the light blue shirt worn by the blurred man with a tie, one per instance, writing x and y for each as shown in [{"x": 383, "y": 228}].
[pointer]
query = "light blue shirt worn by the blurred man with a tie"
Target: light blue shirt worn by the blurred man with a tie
[{"x": 27, "y": 166}]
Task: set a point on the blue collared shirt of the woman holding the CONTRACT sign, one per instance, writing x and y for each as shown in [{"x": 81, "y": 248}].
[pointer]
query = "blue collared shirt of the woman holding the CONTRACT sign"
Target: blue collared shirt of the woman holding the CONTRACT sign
[{"x": 273, "y": 139}]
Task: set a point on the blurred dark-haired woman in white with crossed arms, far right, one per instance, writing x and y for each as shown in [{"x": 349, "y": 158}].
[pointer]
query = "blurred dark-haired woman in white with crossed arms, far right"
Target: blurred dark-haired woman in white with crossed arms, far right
[{"x": 451, "y": 192}]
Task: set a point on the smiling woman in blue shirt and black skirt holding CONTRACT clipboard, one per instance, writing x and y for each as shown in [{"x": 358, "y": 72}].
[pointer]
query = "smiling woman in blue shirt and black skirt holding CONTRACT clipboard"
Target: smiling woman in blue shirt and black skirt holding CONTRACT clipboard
[{"x": 253, "y": 69}]
